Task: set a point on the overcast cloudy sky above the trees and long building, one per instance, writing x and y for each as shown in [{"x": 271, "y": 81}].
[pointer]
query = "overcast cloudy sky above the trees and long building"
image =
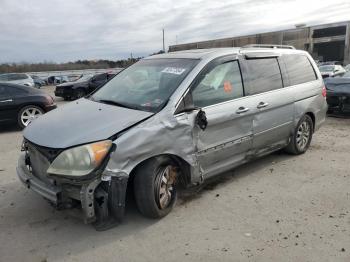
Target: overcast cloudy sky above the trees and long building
[{"x": 59, "y": 31}]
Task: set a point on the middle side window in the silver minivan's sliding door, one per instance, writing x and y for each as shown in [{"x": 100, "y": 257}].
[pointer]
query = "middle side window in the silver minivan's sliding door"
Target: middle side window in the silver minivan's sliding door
[{"x": 264, "y": 75}]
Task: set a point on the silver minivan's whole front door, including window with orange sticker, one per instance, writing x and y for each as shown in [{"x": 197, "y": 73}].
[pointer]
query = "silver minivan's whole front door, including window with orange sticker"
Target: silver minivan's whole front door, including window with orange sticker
[{"x": 227, "y": 138}]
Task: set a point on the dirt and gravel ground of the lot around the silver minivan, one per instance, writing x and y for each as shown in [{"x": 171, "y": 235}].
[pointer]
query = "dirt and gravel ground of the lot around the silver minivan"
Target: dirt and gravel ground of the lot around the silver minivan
[{"x": 279, "y": 208}]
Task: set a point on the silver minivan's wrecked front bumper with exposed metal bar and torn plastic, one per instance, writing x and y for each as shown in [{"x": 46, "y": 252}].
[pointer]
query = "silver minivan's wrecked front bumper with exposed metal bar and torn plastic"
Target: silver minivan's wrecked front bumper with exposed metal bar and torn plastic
[{"x": 102, "y": 198}]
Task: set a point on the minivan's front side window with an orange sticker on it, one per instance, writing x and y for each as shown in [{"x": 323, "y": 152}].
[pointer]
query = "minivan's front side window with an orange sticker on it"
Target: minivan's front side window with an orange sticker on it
[{"x": 222, "y": 83}]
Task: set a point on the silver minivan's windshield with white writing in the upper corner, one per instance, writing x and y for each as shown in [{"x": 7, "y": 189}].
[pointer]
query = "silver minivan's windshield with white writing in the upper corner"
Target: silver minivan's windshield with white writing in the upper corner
[{"x": 146, "y": 85}]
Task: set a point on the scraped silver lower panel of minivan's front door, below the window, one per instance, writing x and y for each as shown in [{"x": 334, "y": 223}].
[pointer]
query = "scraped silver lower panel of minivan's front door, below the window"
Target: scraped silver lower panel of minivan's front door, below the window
[{"x": 228, "y": 137}]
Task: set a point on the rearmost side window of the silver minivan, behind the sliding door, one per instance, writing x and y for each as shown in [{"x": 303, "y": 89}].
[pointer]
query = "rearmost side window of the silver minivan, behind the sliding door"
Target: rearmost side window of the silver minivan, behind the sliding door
[{"x": 299, "y": 69}]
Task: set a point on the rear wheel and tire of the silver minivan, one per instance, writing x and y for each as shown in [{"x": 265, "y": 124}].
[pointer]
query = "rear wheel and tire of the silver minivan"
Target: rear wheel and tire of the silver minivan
[{"x": 302, "y": 136}]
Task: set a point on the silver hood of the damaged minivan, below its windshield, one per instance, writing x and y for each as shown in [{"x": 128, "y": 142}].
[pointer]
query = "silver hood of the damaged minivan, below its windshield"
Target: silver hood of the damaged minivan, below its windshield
[{"x": 81, "y": 122}]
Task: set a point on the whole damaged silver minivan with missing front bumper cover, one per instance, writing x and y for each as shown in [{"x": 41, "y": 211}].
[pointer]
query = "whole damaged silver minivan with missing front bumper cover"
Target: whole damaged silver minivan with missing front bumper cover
[{"x": 171, "y": 120}]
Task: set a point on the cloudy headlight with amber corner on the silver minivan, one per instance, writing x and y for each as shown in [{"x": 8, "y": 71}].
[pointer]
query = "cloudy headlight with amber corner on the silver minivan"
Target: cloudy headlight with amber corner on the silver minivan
[{"x": 81, "y": 160}]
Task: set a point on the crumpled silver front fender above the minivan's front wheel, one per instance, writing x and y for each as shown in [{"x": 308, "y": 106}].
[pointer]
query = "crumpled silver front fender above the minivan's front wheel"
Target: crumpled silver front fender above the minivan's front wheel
[{"x": 163, "y": 133}]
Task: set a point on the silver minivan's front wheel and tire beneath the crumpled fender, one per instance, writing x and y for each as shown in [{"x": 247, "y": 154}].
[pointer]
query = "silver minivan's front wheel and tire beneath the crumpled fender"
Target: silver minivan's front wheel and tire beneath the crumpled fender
[{"x": 149, "y": 183}]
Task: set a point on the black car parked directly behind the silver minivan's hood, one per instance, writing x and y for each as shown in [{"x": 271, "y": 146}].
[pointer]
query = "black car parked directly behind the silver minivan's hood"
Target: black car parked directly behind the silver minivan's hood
[{"x": 81, "y": 87}]
